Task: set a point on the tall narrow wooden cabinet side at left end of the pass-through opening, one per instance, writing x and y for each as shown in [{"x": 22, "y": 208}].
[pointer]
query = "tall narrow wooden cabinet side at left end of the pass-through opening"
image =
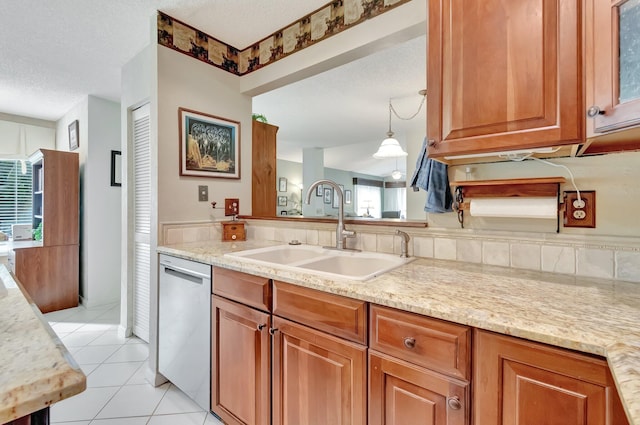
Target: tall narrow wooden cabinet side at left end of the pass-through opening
[{"x": 264, "y": 170}]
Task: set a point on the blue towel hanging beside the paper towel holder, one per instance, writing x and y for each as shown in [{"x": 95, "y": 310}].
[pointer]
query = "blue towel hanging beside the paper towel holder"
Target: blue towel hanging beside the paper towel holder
[{"x": 432, "y": 176}]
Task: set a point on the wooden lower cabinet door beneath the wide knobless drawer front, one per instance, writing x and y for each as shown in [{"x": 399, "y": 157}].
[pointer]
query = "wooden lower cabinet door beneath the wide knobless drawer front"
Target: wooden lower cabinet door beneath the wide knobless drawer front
[{"x": 318, "y": 379}]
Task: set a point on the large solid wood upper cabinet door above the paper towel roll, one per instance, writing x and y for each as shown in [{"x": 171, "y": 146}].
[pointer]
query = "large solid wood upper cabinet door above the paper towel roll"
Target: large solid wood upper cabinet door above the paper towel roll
[{"x": 503, "y": 75}]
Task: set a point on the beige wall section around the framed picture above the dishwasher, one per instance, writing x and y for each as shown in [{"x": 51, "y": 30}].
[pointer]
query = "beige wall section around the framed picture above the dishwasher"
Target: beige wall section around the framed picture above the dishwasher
[{"x": 188, "y": 83}]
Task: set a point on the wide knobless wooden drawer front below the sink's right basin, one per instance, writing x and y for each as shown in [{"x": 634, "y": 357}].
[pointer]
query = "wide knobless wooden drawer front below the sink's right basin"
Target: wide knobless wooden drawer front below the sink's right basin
[{"x": 337, "y": 315}]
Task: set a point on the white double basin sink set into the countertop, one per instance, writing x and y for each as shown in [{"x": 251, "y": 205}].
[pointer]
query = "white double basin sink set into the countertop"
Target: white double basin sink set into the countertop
[{"x": 331, "y": 263}]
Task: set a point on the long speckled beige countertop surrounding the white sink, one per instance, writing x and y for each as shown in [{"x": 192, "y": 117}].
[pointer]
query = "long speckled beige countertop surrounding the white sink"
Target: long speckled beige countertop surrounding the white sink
[{"x": 595, "y": 316}]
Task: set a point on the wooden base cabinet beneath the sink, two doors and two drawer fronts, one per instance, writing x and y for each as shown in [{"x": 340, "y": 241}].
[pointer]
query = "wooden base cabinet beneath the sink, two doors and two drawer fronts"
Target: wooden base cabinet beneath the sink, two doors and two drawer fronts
[{"x": 285, "y": 368}]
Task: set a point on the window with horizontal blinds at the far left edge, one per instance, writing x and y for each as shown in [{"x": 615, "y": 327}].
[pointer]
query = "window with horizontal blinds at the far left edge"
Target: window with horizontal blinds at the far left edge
[{"x": 15, "y": 194}]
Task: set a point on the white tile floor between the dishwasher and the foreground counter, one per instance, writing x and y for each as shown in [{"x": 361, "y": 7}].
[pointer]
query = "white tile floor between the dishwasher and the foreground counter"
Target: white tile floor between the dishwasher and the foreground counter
[{"x": 117, "y": 392}]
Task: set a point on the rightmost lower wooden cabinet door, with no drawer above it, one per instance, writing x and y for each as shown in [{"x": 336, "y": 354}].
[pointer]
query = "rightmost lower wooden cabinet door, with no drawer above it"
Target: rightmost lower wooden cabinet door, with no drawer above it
[{"x": 517, "y": 382}]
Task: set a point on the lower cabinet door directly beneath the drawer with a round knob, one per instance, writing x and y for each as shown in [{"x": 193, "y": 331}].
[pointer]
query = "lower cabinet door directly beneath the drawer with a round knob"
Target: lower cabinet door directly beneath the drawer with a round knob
[{"x": 401, "y": 393}]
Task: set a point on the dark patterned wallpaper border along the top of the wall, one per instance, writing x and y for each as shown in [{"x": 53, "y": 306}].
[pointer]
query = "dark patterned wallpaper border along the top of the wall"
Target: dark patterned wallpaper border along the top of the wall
[{"x": 331, "y": 19}]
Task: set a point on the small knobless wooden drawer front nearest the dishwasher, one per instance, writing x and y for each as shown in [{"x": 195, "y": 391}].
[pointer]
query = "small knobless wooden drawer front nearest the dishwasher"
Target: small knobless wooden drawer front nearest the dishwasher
[{"x": 242, "y": 287}]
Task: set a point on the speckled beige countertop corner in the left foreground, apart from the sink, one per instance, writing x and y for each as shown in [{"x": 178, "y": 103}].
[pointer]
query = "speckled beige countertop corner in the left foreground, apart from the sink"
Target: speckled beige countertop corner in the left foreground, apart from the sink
[{"x": 35, "y": 368}]
